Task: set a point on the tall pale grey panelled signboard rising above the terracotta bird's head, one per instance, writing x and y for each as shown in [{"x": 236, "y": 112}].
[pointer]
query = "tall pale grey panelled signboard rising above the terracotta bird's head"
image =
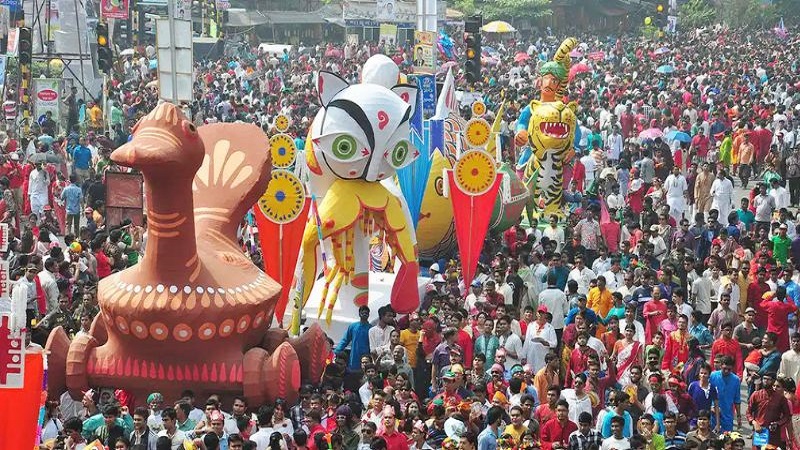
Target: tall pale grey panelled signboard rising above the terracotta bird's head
[{"x": 175, "y": 60}]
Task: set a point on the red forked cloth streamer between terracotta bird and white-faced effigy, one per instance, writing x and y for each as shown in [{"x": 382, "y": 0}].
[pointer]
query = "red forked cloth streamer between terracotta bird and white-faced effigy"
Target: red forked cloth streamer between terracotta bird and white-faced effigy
[{"x": 280, "y": 251}]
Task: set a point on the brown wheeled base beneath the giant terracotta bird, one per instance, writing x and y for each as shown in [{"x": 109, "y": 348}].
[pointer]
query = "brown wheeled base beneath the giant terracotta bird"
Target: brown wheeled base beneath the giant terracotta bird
[{"x": 290, "y": 361}]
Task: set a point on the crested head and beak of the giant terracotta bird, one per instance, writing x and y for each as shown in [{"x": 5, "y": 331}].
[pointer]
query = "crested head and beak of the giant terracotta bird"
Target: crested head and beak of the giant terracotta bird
[{"x": 164, "y": 142}]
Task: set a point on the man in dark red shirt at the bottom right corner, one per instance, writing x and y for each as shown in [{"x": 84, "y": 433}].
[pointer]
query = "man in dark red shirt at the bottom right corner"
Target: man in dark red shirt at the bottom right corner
[{"x": 768, "y": 409}]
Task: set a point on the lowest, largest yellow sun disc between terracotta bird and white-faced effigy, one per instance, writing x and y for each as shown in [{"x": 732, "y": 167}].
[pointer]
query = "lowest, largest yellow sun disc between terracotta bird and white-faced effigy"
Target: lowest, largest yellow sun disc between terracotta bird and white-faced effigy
[{"x": 283, "y": 200}]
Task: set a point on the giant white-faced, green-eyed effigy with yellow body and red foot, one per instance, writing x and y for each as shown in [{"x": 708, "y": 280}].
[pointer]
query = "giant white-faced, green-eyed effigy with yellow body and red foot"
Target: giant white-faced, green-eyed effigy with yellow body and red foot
[{"x": 358, "y": 140}]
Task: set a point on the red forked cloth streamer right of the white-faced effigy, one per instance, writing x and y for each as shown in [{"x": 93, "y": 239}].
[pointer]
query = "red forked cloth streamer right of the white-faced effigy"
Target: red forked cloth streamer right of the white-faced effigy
[{"x": 471, "y": 215}]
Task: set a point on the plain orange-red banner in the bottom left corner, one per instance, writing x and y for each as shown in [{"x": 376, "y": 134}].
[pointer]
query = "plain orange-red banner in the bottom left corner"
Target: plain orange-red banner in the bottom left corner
[{"x": 21, "y": 406}]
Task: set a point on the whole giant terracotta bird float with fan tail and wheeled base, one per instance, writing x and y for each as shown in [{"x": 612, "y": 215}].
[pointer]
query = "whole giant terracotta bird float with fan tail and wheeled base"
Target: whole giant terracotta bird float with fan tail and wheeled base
[{"x": 195, "y": 312}]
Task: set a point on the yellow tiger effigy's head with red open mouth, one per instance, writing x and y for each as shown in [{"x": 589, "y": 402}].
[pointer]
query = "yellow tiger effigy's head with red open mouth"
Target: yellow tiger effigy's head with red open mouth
[{"x": 552, "y": 124}]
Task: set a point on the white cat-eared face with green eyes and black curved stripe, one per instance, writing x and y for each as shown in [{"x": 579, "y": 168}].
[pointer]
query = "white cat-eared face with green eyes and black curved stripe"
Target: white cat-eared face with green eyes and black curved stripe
[{"x": 363, "y": 130}]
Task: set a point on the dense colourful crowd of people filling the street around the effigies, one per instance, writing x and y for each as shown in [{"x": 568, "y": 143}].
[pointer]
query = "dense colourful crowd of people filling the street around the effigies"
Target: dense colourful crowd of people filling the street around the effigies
[{"x": 660, "y": 315}]
